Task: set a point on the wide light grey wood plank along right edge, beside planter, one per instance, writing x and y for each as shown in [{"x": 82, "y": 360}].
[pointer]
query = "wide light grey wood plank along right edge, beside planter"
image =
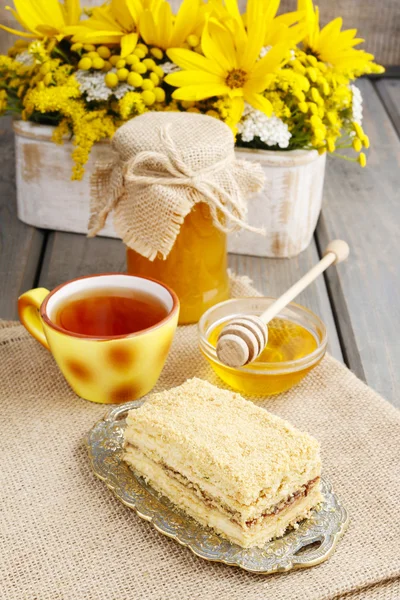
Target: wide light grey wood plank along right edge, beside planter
[{"x": 362, "y": 206}]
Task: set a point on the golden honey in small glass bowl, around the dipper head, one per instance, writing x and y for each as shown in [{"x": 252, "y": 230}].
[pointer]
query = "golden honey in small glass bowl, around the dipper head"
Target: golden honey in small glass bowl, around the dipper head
[{"x": 273, "y": 371}]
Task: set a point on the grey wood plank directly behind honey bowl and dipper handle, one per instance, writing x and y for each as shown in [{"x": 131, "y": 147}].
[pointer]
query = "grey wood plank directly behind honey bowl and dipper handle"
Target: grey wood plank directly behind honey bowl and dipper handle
[{"x": 272, "y": 277}]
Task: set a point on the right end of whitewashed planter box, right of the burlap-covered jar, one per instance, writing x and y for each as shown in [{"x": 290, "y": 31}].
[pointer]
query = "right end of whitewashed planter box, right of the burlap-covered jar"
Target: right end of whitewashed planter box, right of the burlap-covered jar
[{"x": 289, "y": 205}]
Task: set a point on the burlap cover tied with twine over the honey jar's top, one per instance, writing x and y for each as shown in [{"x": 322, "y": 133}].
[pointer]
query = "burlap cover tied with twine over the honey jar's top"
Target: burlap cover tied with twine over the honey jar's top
[{"x": 164, "y": 164}]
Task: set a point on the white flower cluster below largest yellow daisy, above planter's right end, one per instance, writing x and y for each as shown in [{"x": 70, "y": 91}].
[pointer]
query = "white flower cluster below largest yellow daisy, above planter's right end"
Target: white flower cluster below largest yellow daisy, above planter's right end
[{"x": 271, "y": 130}]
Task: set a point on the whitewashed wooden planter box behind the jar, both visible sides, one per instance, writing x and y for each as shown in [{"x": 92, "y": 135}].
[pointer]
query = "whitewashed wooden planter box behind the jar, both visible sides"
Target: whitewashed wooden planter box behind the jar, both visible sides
[{"x": 288, "y": 208}]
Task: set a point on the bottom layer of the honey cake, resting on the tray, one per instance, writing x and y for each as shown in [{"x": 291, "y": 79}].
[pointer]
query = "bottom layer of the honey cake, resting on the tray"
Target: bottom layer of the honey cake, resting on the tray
[{"x": 255, "y": 532}]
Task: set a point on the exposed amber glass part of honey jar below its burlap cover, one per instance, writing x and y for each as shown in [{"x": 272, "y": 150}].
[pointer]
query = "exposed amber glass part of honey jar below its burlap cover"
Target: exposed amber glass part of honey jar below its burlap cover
[{"x": 195, "y": 268}]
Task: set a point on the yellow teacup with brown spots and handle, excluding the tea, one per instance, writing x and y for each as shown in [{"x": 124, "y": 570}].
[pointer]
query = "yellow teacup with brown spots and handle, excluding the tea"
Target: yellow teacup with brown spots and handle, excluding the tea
[{"x": 107, "y": 370}]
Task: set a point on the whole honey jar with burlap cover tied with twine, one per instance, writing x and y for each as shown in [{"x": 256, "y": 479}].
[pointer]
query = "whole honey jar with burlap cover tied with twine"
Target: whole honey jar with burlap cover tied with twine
[{"x": 175, "y": 187}]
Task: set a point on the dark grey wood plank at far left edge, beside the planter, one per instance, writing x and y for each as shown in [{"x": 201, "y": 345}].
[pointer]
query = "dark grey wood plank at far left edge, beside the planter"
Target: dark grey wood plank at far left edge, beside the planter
[{"x": 20, "y": 244}]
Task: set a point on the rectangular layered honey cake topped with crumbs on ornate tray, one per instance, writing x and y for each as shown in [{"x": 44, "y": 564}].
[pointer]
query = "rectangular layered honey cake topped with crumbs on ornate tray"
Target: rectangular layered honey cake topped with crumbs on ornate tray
[{"x": 228, "y": 463}]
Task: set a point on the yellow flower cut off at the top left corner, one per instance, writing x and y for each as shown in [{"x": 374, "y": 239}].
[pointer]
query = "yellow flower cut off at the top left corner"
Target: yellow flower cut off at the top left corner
[{"x": 44, "y": 18}]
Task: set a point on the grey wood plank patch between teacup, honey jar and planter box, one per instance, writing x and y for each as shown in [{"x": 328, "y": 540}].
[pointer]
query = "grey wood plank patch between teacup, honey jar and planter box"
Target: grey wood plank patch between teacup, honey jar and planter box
[{"x": 70, "y": 255}]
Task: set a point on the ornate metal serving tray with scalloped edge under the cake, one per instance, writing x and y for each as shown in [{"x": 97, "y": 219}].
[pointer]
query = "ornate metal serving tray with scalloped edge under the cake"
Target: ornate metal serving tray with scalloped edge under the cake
[{"x": 313, "y": 542}]
